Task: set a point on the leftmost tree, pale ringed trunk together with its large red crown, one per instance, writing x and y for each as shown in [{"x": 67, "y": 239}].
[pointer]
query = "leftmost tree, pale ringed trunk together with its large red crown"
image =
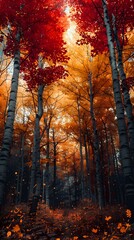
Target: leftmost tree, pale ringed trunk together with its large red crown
[{"x": 31, "y": 30}]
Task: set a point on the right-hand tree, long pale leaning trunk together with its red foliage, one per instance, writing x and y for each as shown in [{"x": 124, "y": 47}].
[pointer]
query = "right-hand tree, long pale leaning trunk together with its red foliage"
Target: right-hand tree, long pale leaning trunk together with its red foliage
[{"x": 88, "y": 24}]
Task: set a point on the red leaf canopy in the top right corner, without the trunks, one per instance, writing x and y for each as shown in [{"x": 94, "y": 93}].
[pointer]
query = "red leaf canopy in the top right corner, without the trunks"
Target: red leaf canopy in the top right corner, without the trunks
[{"x": 88, "y": 15}]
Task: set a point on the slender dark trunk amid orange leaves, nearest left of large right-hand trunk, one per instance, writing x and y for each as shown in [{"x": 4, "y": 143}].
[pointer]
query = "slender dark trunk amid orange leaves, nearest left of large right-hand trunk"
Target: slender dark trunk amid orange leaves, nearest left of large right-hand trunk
[{"x": 96, "y": 149}]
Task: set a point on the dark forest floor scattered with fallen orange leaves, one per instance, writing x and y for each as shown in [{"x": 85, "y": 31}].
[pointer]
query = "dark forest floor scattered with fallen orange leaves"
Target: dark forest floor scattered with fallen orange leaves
[{"x": 84, "y": 222}]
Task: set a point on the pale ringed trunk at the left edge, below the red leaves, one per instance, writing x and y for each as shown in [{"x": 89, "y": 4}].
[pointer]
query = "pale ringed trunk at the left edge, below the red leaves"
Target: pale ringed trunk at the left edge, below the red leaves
[{"x": 8, "y": 132}]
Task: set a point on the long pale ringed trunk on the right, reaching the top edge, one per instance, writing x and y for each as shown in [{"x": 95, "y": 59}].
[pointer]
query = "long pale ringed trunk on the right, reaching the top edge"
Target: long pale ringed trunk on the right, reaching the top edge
[{"x": 124, "y": 143}]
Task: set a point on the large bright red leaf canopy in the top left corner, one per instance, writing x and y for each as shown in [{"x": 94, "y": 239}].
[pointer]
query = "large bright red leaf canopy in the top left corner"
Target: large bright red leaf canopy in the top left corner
[{"x": 41, "y": 24}]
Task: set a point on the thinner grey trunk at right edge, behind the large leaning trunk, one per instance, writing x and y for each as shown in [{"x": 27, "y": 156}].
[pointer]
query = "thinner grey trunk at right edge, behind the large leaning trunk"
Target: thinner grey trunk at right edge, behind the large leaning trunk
[{"x": 126, "y": 95}]
